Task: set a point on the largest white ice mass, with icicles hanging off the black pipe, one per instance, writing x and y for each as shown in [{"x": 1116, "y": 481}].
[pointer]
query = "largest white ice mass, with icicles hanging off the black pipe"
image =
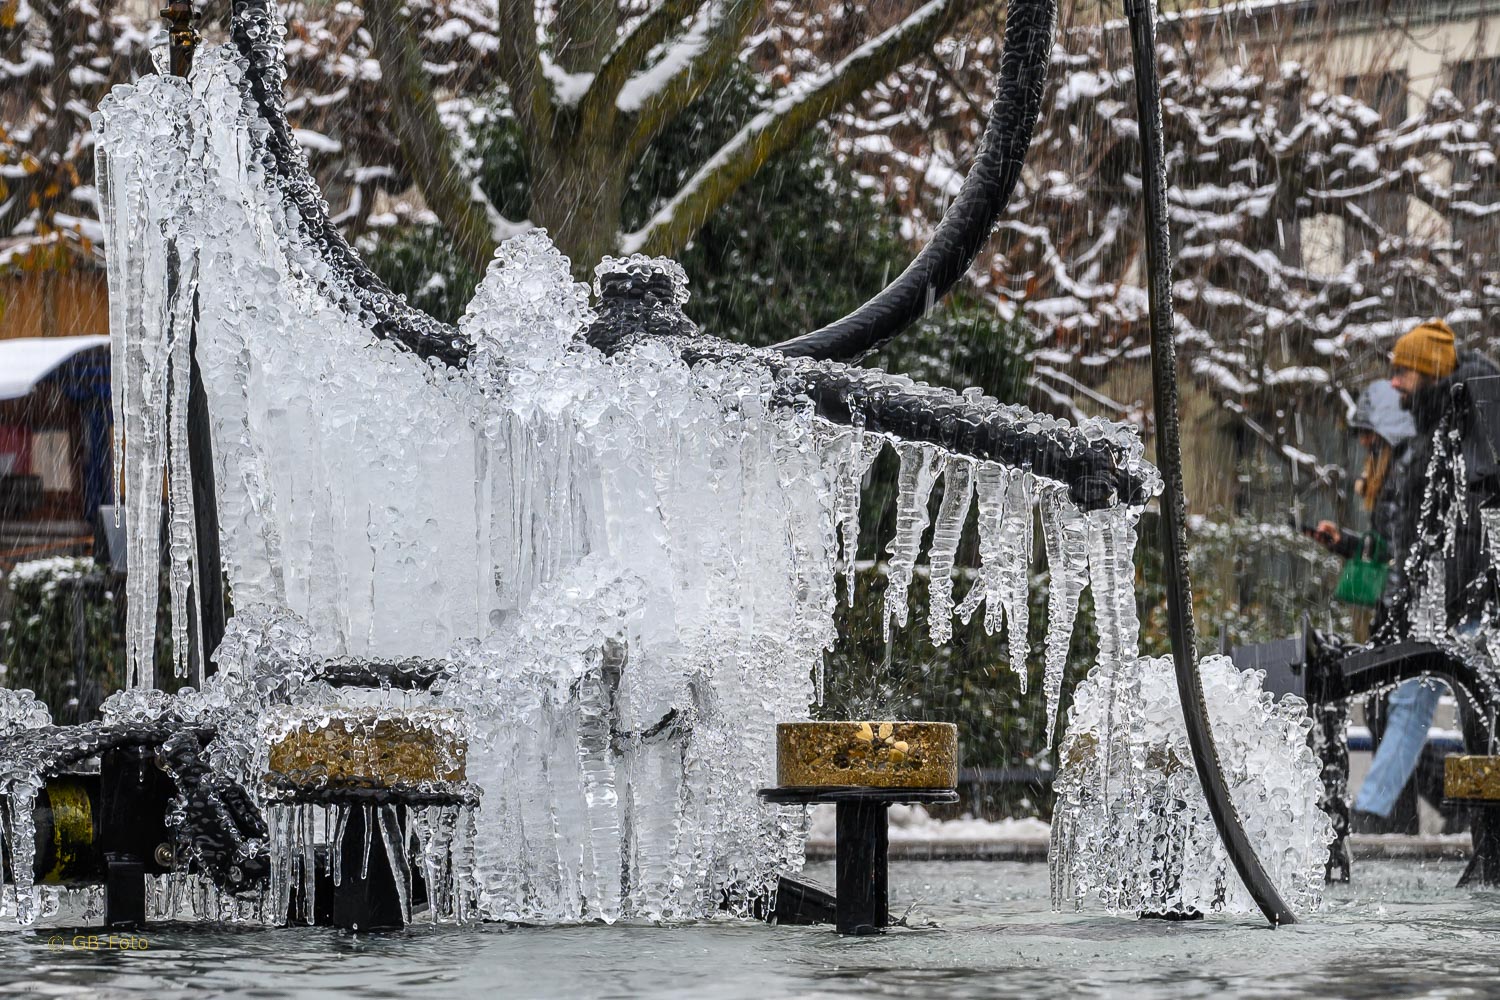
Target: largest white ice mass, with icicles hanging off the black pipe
[{"x": 623, "y": 567}]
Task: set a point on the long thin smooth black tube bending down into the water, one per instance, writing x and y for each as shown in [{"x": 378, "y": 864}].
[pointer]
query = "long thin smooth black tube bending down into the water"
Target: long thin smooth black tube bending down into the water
[{"x": 1169, "y": 460}]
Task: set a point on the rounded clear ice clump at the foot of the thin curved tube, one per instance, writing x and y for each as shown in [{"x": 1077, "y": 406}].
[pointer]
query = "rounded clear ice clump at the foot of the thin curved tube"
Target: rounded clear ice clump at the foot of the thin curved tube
[{"x": 1132, "y": 827}]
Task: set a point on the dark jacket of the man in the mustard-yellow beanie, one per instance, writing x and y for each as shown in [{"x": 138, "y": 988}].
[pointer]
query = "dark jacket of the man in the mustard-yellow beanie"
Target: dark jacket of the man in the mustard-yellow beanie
[{"x": 1409, "y": 482}]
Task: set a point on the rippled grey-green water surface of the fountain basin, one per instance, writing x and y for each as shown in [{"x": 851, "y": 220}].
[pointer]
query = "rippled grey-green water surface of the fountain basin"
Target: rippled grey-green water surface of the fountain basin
[{"x": 979, "y": 930}]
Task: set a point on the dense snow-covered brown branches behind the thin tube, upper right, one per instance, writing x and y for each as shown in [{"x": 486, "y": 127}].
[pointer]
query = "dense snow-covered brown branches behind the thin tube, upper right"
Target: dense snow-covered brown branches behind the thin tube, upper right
[{"x": 1309, "y": 229}]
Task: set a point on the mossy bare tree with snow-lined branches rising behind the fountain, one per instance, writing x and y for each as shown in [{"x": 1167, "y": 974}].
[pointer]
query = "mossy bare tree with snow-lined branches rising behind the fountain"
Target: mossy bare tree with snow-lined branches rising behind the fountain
[{"x": 593, "y": 83}]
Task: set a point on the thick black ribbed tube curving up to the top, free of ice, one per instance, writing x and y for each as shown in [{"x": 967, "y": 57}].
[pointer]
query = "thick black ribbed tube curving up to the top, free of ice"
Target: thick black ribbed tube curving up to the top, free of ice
[{"x": 965, "y": 229}]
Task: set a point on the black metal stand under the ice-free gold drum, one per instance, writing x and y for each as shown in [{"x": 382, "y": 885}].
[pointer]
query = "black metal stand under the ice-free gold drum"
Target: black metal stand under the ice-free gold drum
[{"x": 862, "y": 905}]
